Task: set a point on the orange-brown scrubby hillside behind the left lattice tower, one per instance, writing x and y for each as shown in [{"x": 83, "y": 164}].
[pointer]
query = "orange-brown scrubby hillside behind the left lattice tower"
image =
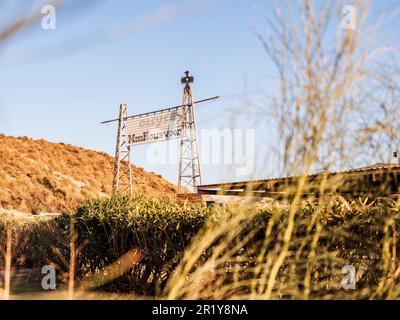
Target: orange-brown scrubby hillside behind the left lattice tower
[{"x": 40, "y": 176}]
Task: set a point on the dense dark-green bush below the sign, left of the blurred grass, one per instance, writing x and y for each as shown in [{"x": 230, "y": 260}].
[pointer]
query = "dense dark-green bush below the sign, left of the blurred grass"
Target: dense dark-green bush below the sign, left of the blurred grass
[{"x": 159, "y": 229}]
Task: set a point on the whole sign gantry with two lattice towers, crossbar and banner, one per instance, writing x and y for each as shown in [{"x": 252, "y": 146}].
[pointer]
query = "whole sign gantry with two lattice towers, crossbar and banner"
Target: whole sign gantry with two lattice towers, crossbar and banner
[{"x": 190, "y": 176}]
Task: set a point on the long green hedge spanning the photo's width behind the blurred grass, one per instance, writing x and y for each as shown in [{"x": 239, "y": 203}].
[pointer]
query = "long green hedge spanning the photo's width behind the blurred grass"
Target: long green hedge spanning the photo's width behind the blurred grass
[{"x": 161, "y": 231}]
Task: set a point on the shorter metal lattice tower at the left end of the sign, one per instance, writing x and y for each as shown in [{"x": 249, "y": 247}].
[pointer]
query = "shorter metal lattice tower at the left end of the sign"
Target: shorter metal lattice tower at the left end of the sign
[{"x": 122, "y": 182}]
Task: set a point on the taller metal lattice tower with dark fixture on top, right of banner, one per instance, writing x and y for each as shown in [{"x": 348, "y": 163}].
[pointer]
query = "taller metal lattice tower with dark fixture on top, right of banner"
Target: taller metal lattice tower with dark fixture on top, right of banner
[{"x": 189, "y": 164}]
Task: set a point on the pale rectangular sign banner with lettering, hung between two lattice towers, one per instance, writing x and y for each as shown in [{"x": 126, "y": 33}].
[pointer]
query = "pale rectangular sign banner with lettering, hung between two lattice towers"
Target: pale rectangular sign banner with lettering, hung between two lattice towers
[{"x": 162, "y": 126}]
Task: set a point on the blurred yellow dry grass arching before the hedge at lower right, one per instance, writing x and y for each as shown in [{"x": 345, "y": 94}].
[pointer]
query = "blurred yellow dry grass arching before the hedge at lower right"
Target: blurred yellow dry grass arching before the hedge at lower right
[{"x": 296, "y": 252}]
